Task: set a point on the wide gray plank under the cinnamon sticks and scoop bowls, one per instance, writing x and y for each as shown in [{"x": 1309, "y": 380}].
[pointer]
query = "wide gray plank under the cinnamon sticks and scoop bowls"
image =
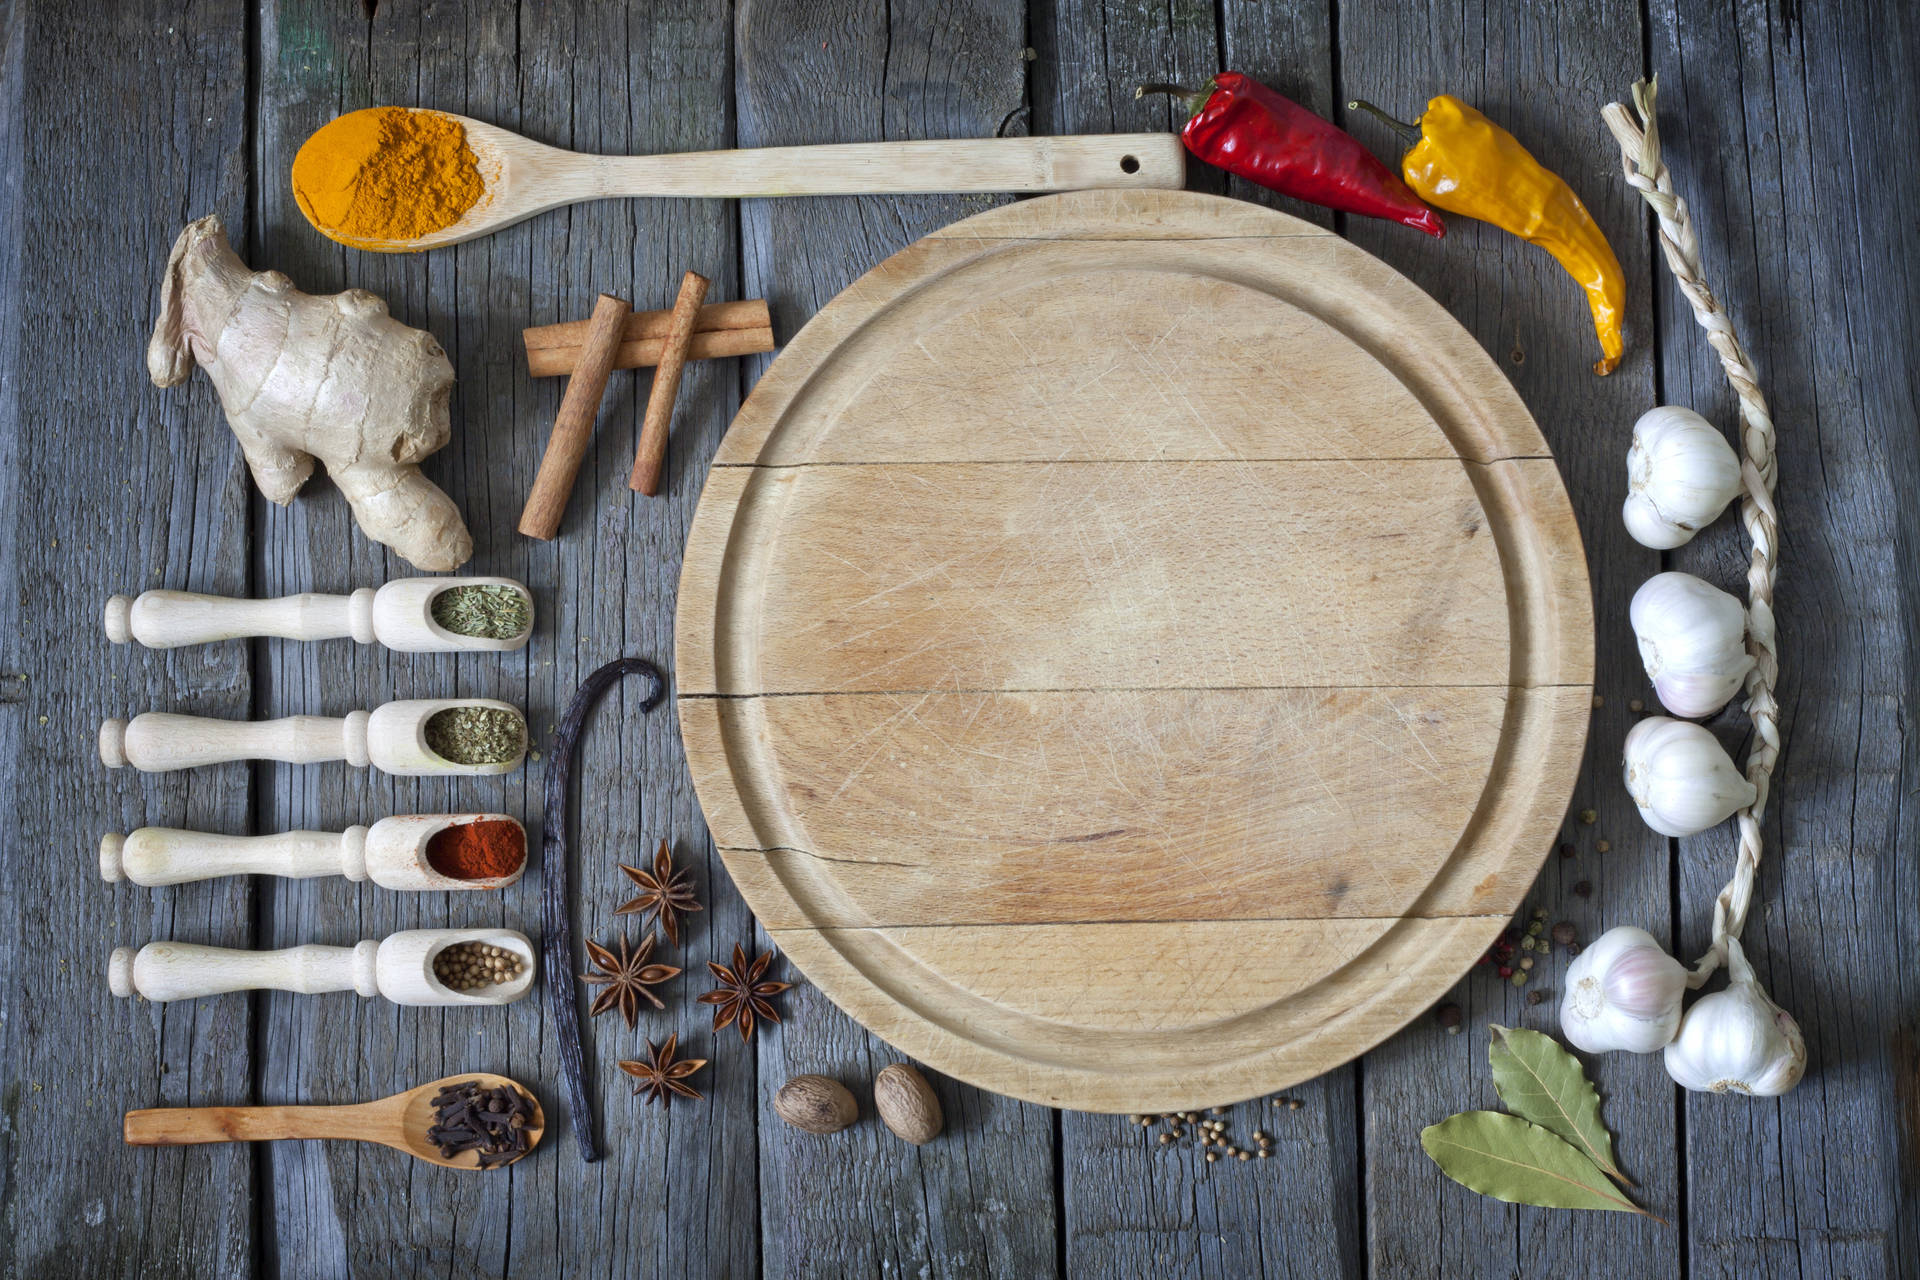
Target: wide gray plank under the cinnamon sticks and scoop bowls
[{"x": 677, "y": 1189}]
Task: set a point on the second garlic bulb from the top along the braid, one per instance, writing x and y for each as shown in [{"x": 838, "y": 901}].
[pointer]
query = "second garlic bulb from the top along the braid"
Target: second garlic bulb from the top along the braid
[{"x": 1692, "y": 642}]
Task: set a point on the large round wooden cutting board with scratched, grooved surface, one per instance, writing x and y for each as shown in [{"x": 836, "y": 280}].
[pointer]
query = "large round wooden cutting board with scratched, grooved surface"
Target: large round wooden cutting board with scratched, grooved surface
[{"x": 1134, "y": 652}]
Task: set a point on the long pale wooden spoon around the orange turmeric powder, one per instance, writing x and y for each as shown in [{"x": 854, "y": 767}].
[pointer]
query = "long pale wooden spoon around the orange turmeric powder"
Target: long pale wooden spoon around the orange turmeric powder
[{"x": 525, "y": 178}]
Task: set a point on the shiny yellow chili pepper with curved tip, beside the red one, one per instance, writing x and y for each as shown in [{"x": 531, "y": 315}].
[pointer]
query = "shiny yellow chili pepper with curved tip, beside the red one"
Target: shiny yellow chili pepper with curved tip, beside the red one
[{"x": 1468, "y": 164}]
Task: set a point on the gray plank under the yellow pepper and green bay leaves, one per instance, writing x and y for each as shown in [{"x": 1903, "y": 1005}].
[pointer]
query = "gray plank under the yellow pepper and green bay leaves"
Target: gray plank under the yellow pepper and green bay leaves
[{"x": 1545, "y": 74}]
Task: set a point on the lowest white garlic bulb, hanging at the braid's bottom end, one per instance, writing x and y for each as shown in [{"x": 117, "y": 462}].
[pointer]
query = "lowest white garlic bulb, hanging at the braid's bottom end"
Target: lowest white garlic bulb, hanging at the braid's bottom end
[{"x": 1739, "y": 1039}]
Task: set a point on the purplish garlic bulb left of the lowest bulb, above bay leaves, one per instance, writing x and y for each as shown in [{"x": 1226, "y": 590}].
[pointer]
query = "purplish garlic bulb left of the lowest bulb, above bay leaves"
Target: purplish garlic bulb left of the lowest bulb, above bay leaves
[{"x": 1623, "y": 993}]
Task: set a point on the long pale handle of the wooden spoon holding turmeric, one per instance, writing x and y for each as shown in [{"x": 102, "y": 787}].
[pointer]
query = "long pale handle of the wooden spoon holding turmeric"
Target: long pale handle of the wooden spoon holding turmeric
[{"x": 903, "y": 168}]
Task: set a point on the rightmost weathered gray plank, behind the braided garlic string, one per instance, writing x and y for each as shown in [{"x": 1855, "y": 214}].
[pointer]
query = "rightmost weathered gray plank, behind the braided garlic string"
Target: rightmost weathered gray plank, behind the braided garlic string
[{"x": 1783, "y": 139}]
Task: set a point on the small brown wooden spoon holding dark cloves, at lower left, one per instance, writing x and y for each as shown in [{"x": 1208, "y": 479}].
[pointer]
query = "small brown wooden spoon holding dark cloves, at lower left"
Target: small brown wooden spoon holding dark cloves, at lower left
[{"x": 398, "y": 1122}]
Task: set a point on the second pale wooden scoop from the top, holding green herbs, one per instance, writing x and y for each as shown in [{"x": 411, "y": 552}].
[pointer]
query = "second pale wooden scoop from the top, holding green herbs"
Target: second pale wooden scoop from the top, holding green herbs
[{"x": 391, "y": 738}]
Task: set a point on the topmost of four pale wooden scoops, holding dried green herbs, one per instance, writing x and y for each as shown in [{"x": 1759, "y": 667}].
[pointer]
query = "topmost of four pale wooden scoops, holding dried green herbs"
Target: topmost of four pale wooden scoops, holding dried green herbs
[{"x": 398, "y": 615}]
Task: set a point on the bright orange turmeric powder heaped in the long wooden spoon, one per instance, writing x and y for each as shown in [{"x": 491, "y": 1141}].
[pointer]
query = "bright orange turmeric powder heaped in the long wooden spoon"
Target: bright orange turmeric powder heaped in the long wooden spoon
[{"x": 387, "y": 174}]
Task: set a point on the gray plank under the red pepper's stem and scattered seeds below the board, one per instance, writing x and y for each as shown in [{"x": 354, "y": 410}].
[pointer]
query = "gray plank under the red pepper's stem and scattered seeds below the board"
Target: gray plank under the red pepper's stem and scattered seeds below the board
[{"x": 1134, "y": 1206}]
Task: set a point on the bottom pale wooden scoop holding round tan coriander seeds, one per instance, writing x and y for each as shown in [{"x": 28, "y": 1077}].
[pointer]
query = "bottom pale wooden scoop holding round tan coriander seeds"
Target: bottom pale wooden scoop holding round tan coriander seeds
[{"x": 398, "y": 968}]
